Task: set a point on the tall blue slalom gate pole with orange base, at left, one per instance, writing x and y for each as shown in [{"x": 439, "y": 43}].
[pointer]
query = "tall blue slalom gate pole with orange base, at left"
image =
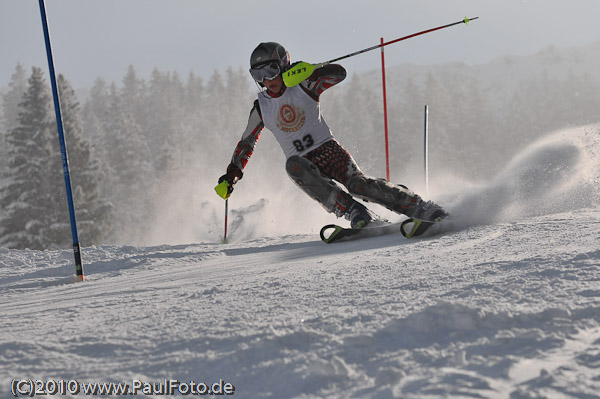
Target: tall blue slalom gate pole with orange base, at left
[{"x": 63, "y": 146}]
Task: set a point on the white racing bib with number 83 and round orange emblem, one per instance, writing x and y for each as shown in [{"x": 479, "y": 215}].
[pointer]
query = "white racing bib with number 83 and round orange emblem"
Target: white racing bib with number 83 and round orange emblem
[{"x": 295, "y": 120}]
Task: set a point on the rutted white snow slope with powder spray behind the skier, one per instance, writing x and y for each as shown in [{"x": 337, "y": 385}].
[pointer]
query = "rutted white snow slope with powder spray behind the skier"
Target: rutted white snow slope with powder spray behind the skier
[{"x": 503, "y": 303}]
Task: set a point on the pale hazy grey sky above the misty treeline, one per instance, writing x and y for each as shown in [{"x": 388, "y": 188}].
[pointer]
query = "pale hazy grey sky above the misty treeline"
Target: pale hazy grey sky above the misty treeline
[{"x": 100, "y": 38}]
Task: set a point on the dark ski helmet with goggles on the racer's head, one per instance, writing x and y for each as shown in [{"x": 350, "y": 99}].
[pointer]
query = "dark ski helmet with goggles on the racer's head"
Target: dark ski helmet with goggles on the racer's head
[{"x": 268, "y": 60}]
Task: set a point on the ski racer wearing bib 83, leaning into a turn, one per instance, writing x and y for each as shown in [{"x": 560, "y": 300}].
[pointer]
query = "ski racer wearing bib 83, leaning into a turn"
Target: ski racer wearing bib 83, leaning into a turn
[{"x": 315, "y": 160}]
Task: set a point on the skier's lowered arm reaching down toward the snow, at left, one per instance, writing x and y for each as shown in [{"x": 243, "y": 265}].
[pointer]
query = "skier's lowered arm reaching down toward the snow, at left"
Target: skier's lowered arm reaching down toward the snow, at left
[{"x": 245, "y": 147}]
